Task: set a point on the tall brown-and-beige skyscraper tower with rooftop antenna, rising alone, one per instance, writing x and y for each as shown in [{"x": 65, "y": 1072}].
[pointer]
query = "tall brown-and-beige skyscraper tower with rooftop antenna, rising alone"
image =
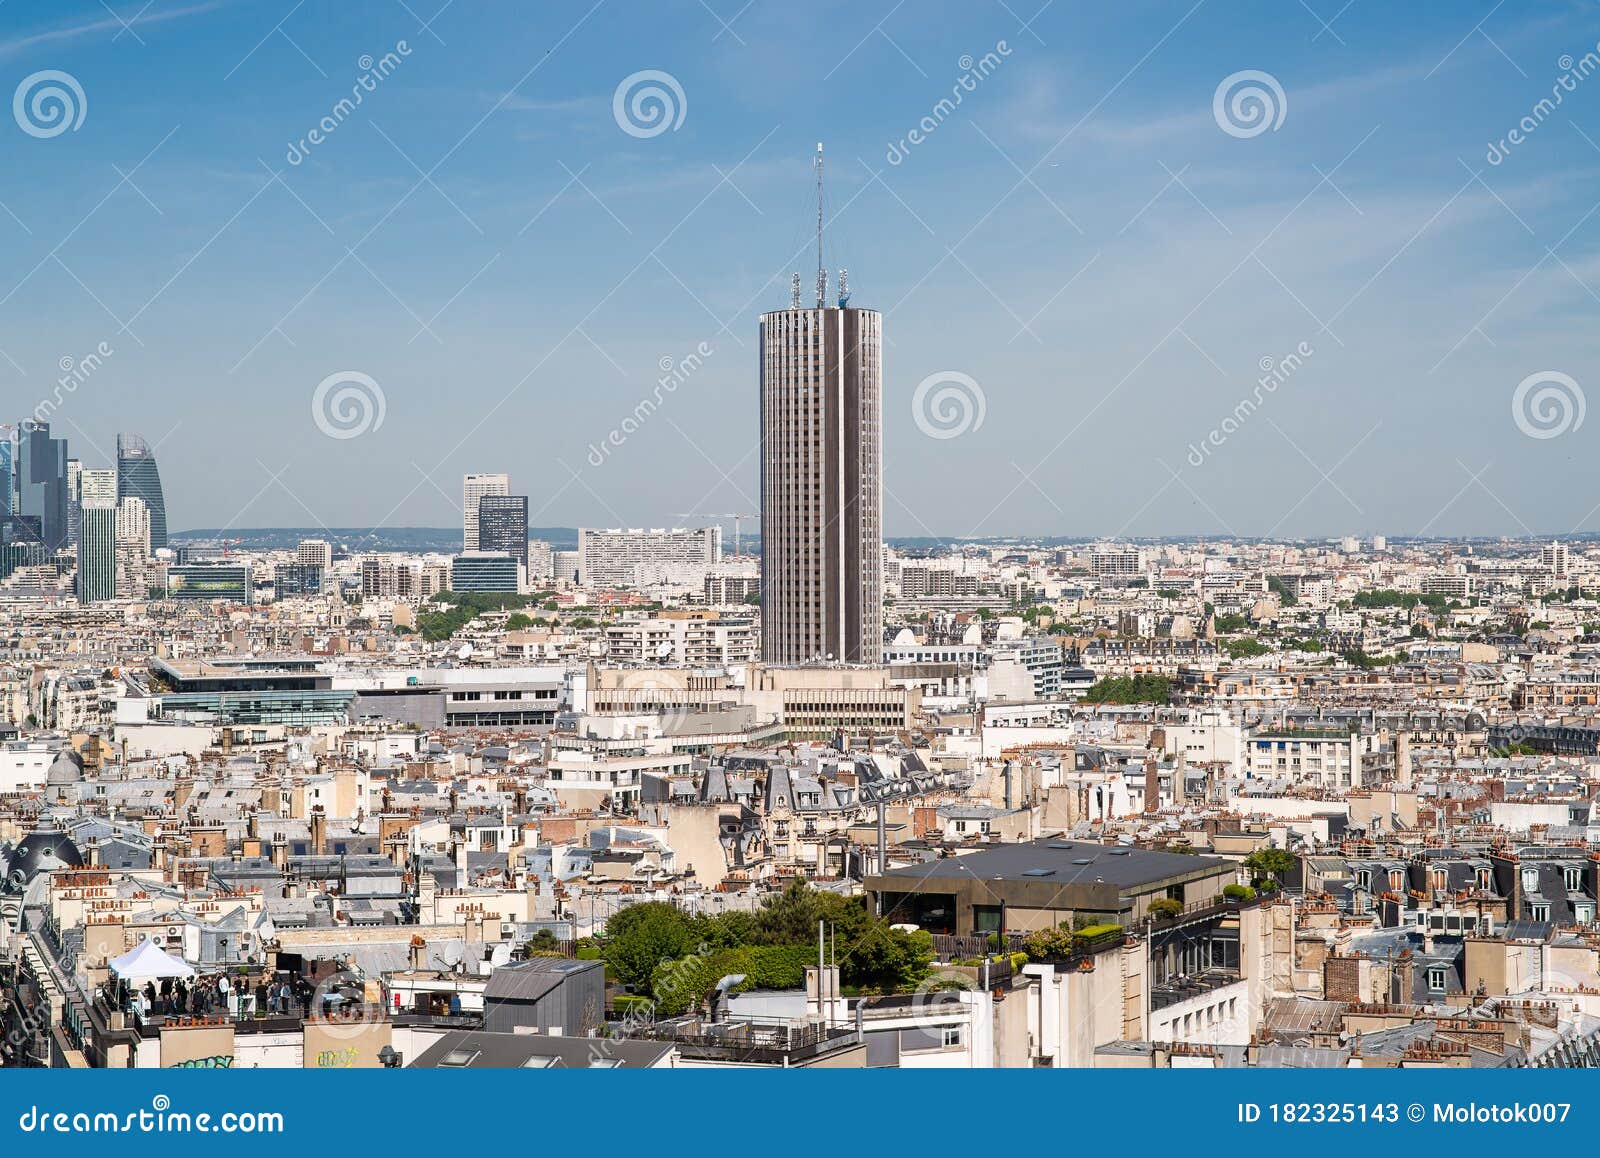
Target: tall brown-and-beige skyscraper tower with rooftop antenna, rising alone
[{"x": 822, "y": 485}]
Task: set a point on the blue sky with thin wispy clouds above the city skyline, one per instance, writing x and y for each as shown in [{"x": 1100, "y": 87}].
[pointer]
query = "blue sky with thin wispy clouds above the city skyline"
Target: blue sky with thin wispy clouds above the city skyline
[{"x": 1081, "y": 239}]
